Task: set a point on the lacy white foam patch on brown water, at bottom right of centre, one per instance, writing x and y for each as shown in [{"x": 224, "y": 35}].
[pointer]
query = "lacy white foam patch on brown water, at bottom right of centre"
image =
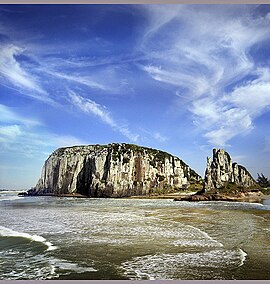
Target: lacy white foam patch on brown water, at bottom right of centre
[{"x": 166, "y": 266}]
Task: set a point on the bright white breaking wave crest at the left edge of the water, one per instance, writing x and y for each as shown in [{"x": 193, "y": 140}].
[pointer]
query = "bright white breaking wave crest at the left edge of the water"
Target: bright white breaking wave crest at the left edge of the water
[{"x": 6, "y": 232}]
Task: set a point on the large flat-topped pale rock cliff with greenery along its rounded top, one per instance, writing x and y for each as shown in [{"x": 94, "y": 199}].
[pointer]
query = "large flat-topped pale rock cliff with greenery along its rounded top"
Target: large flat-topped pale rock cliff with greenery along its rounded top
[{"x": 114, "y": 170}]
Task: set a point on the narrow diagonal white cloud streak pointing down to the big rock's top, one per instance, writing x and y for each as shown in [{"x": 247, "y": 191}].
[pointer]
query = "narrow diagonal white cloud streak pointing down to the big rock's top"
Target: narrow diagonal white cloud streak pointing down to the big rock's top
[{"x": 90, "y": 107}]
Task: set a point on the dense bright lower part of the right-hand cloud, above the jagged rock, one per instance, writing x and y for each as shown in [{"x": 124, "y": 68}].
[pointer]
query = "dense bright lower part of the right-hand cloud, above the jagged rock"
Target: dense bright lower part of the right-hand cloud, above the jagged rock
[{"x": 234, "y": 114}]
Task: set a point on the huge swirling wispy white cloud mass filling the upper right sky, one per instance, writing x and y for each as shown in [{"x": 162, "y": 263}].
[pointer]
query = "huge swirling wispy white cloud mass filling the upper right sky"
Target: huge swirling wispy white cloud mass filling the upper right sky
[{"x": 206, "y": 54}]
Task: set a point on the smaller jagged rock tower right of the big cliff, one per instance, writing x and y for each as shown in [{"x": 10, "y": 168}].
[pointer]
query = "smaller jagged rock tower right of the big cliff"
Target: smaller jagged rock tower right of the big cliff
[{"x": 221, "y": 171}]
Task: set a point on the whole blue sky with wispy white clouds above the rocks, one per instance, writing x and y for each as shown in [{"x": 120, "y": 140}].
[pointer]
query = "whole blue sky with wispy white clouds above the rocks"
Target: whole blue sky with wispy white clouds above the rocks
[{"x": 180, "y": 78}]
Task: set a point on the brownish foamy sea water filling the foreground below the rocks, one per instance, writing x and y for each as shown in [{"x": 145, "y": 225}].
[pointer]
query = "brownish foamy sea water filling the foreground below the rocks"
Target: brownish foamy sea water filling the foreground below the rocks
[{"x": 76, "y": 238}]
